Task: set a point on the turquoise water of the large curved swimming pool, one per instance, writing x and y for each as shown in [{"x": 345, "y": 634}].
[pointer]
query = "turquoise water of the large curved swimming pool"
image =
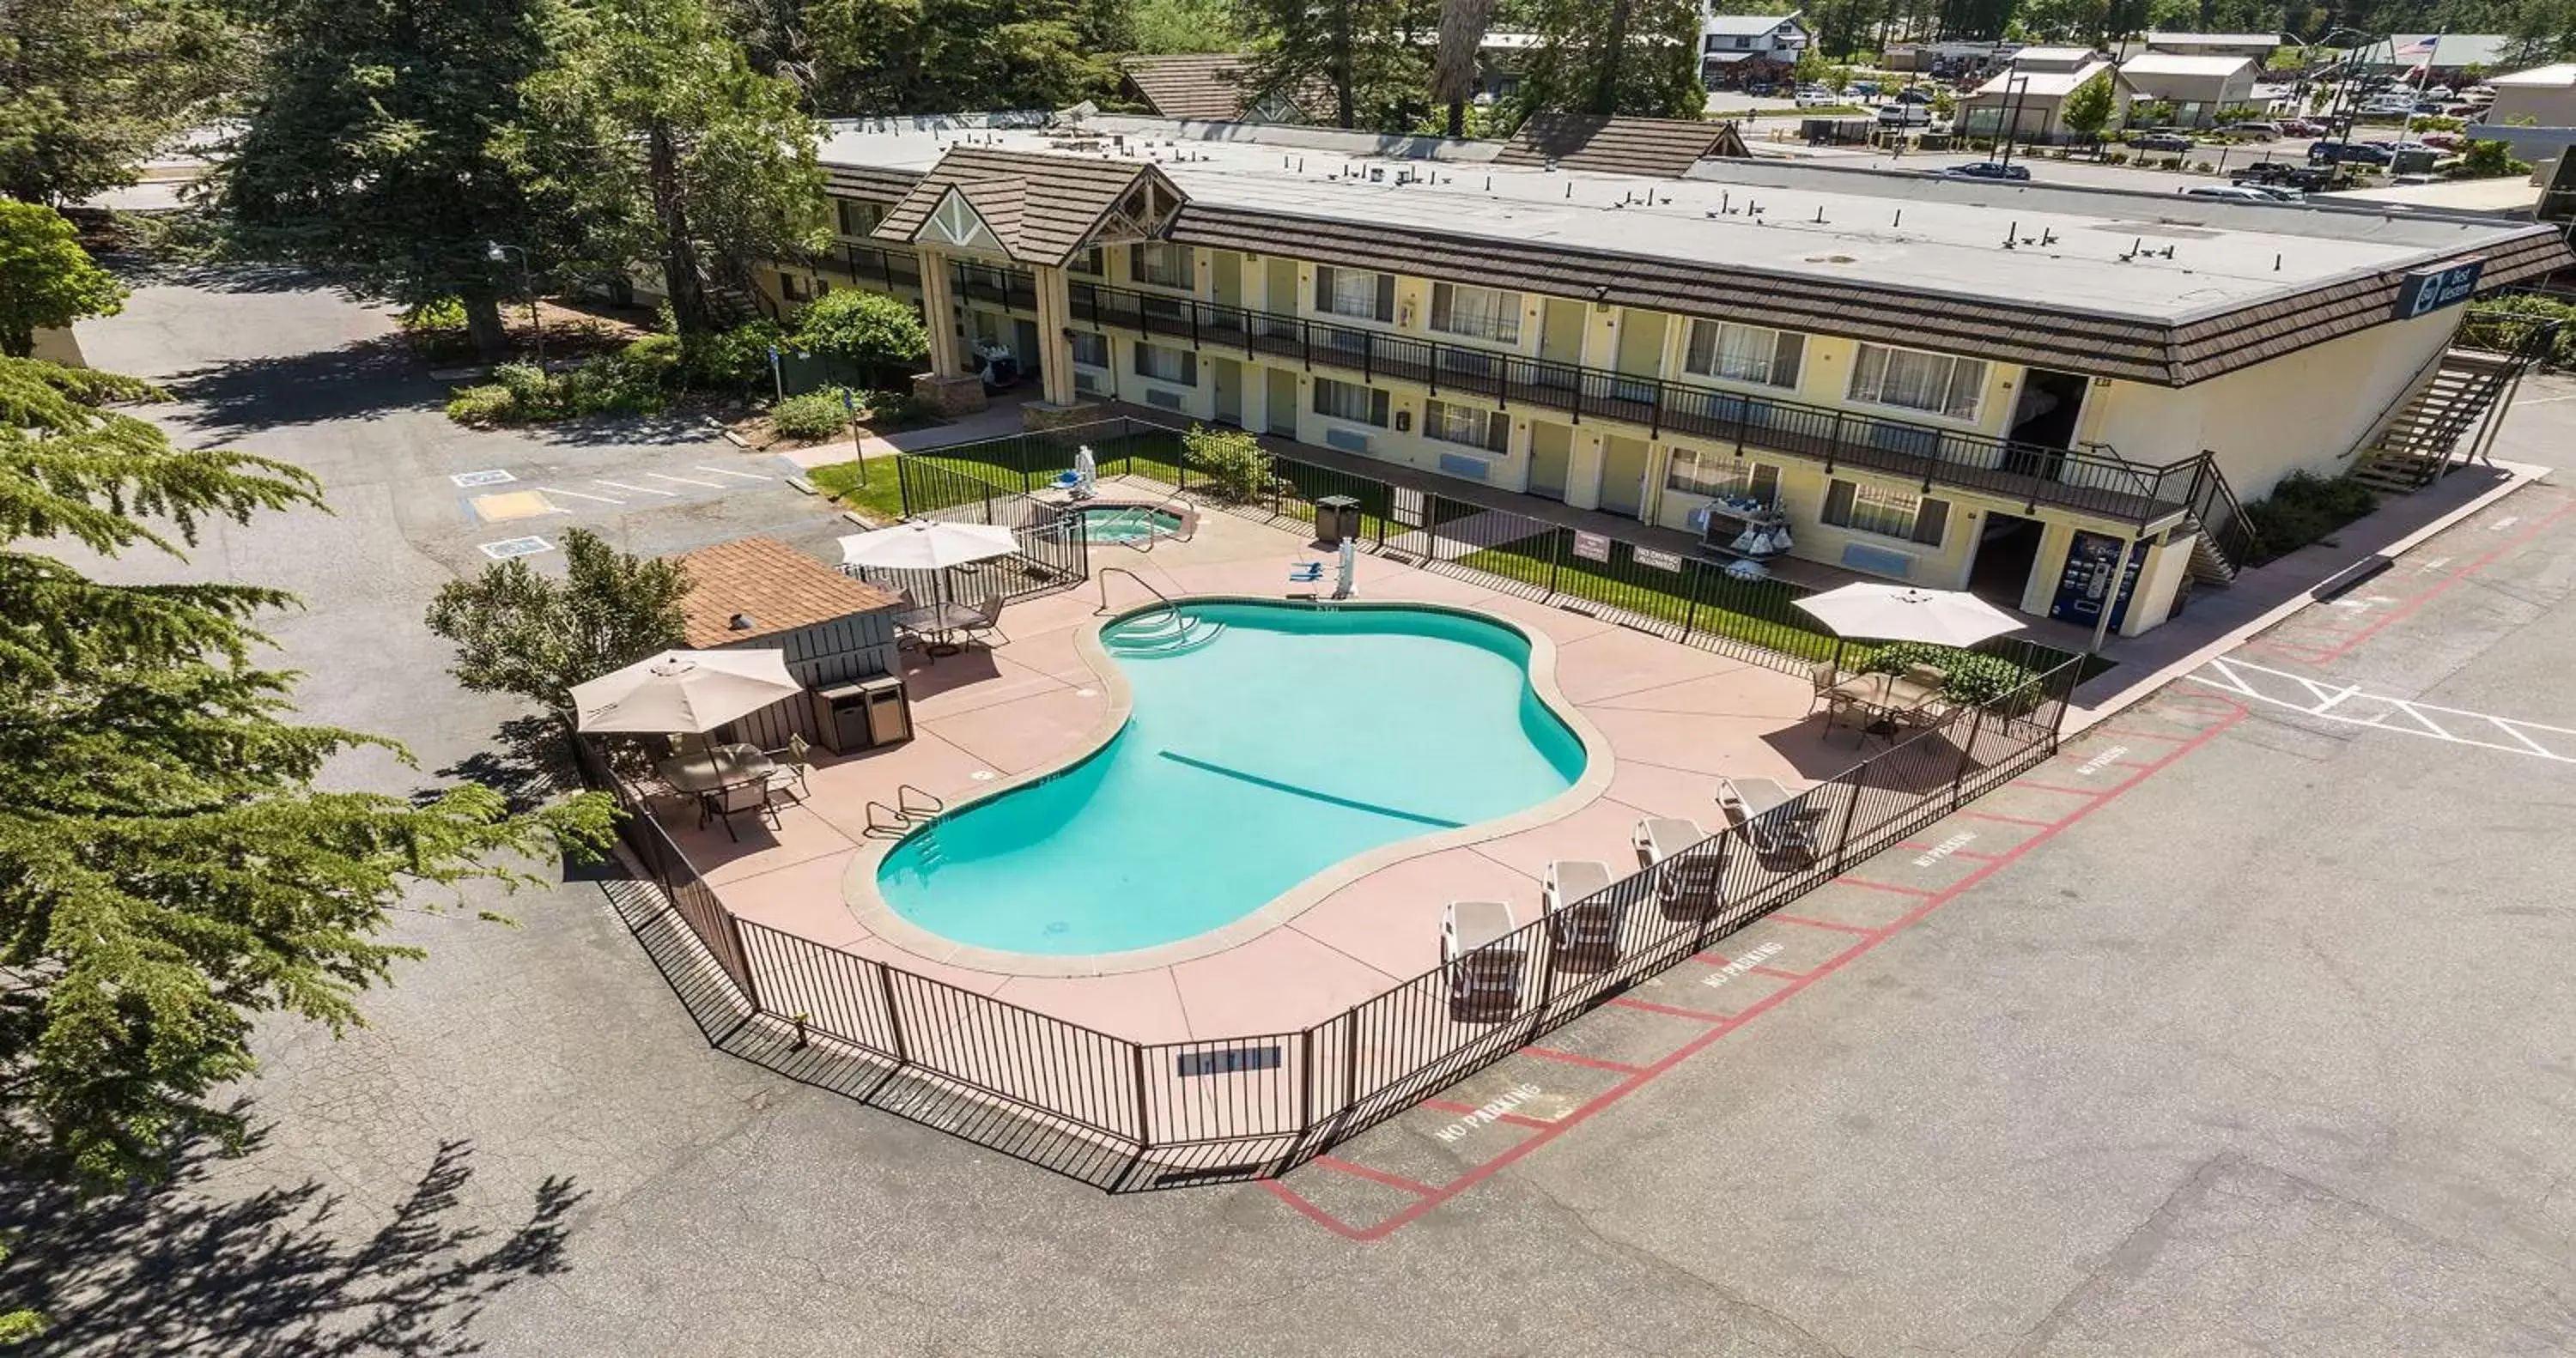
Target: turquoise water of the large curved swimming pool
[{"x": 1266, "y": 746}]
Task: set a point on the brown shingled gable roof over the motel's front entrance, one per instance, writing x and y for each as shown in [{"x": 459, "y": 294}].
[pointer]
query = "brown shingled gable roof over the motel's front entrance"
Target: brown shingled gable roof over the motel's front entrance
[{"x": 1050, "y": 202}]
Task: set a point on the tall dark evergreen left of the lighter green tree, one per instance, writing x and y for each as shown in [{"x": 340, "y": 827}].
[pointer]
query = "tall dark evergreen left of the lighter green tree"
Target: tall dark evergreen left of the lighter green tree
[{"x": 372, "y": 148}]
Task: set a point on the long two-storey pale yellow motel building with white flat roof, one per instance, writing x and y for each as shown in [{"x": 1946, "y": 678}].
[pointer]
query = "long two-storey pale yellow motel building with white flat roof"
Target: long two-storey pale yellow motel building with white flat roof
[{"x": 1946, "y": 383}]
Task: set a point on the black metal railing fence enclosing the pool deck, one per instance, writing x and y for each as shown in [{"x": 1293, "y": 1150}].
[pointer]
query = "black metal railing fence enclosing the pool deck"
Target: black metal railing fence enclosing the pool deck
[{"x": 1127, "y": 1114}]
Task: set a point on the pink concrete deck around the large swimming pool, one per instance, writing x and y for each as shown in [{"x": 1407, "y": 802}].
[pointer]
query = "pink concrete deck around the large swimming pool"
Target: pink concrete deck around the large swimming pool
[{"x": 1673, "y": 718}]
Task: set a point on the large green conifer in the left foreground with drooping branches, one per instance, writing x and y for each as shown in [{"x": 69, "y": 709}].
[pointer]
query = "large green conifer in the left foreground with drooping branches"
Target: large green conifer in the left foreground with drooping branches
[{"x": 169, "y": 872}]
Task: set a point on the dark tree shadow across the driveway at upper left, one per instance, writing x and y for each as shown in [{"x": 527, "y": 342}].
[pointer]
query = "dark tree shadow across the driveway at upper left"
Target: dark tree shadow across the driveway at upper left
[{"x": 367, "y": 378}]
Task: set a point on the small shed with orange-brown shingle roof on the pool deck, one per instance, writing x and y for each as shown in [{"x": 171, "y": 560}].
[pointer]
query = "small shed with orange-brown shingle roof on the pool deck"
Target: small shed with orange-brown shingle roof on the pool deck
[{"x": 761, "y": 594}]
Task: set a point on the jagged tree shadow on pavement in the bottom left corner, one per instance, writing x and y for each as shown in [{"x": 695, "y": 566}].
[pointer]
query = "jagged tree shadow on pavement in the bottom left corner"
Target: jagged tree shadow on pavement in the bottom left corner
[{"x": 285, "y": 1272}]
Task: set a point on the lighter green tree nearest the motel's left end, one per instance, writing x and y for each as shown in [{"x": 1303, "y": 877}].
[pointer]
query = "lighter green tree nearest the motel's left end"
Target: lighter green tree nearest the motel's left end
[{"x": 656, "y": 135}]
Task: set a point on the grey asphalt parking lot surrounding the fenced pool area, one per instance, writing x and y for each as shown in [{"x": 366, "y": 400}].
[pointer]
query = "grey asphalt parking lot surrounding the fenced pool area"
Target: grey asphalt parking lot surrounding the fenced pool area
[{"x": 2235, "y": 1029}]
